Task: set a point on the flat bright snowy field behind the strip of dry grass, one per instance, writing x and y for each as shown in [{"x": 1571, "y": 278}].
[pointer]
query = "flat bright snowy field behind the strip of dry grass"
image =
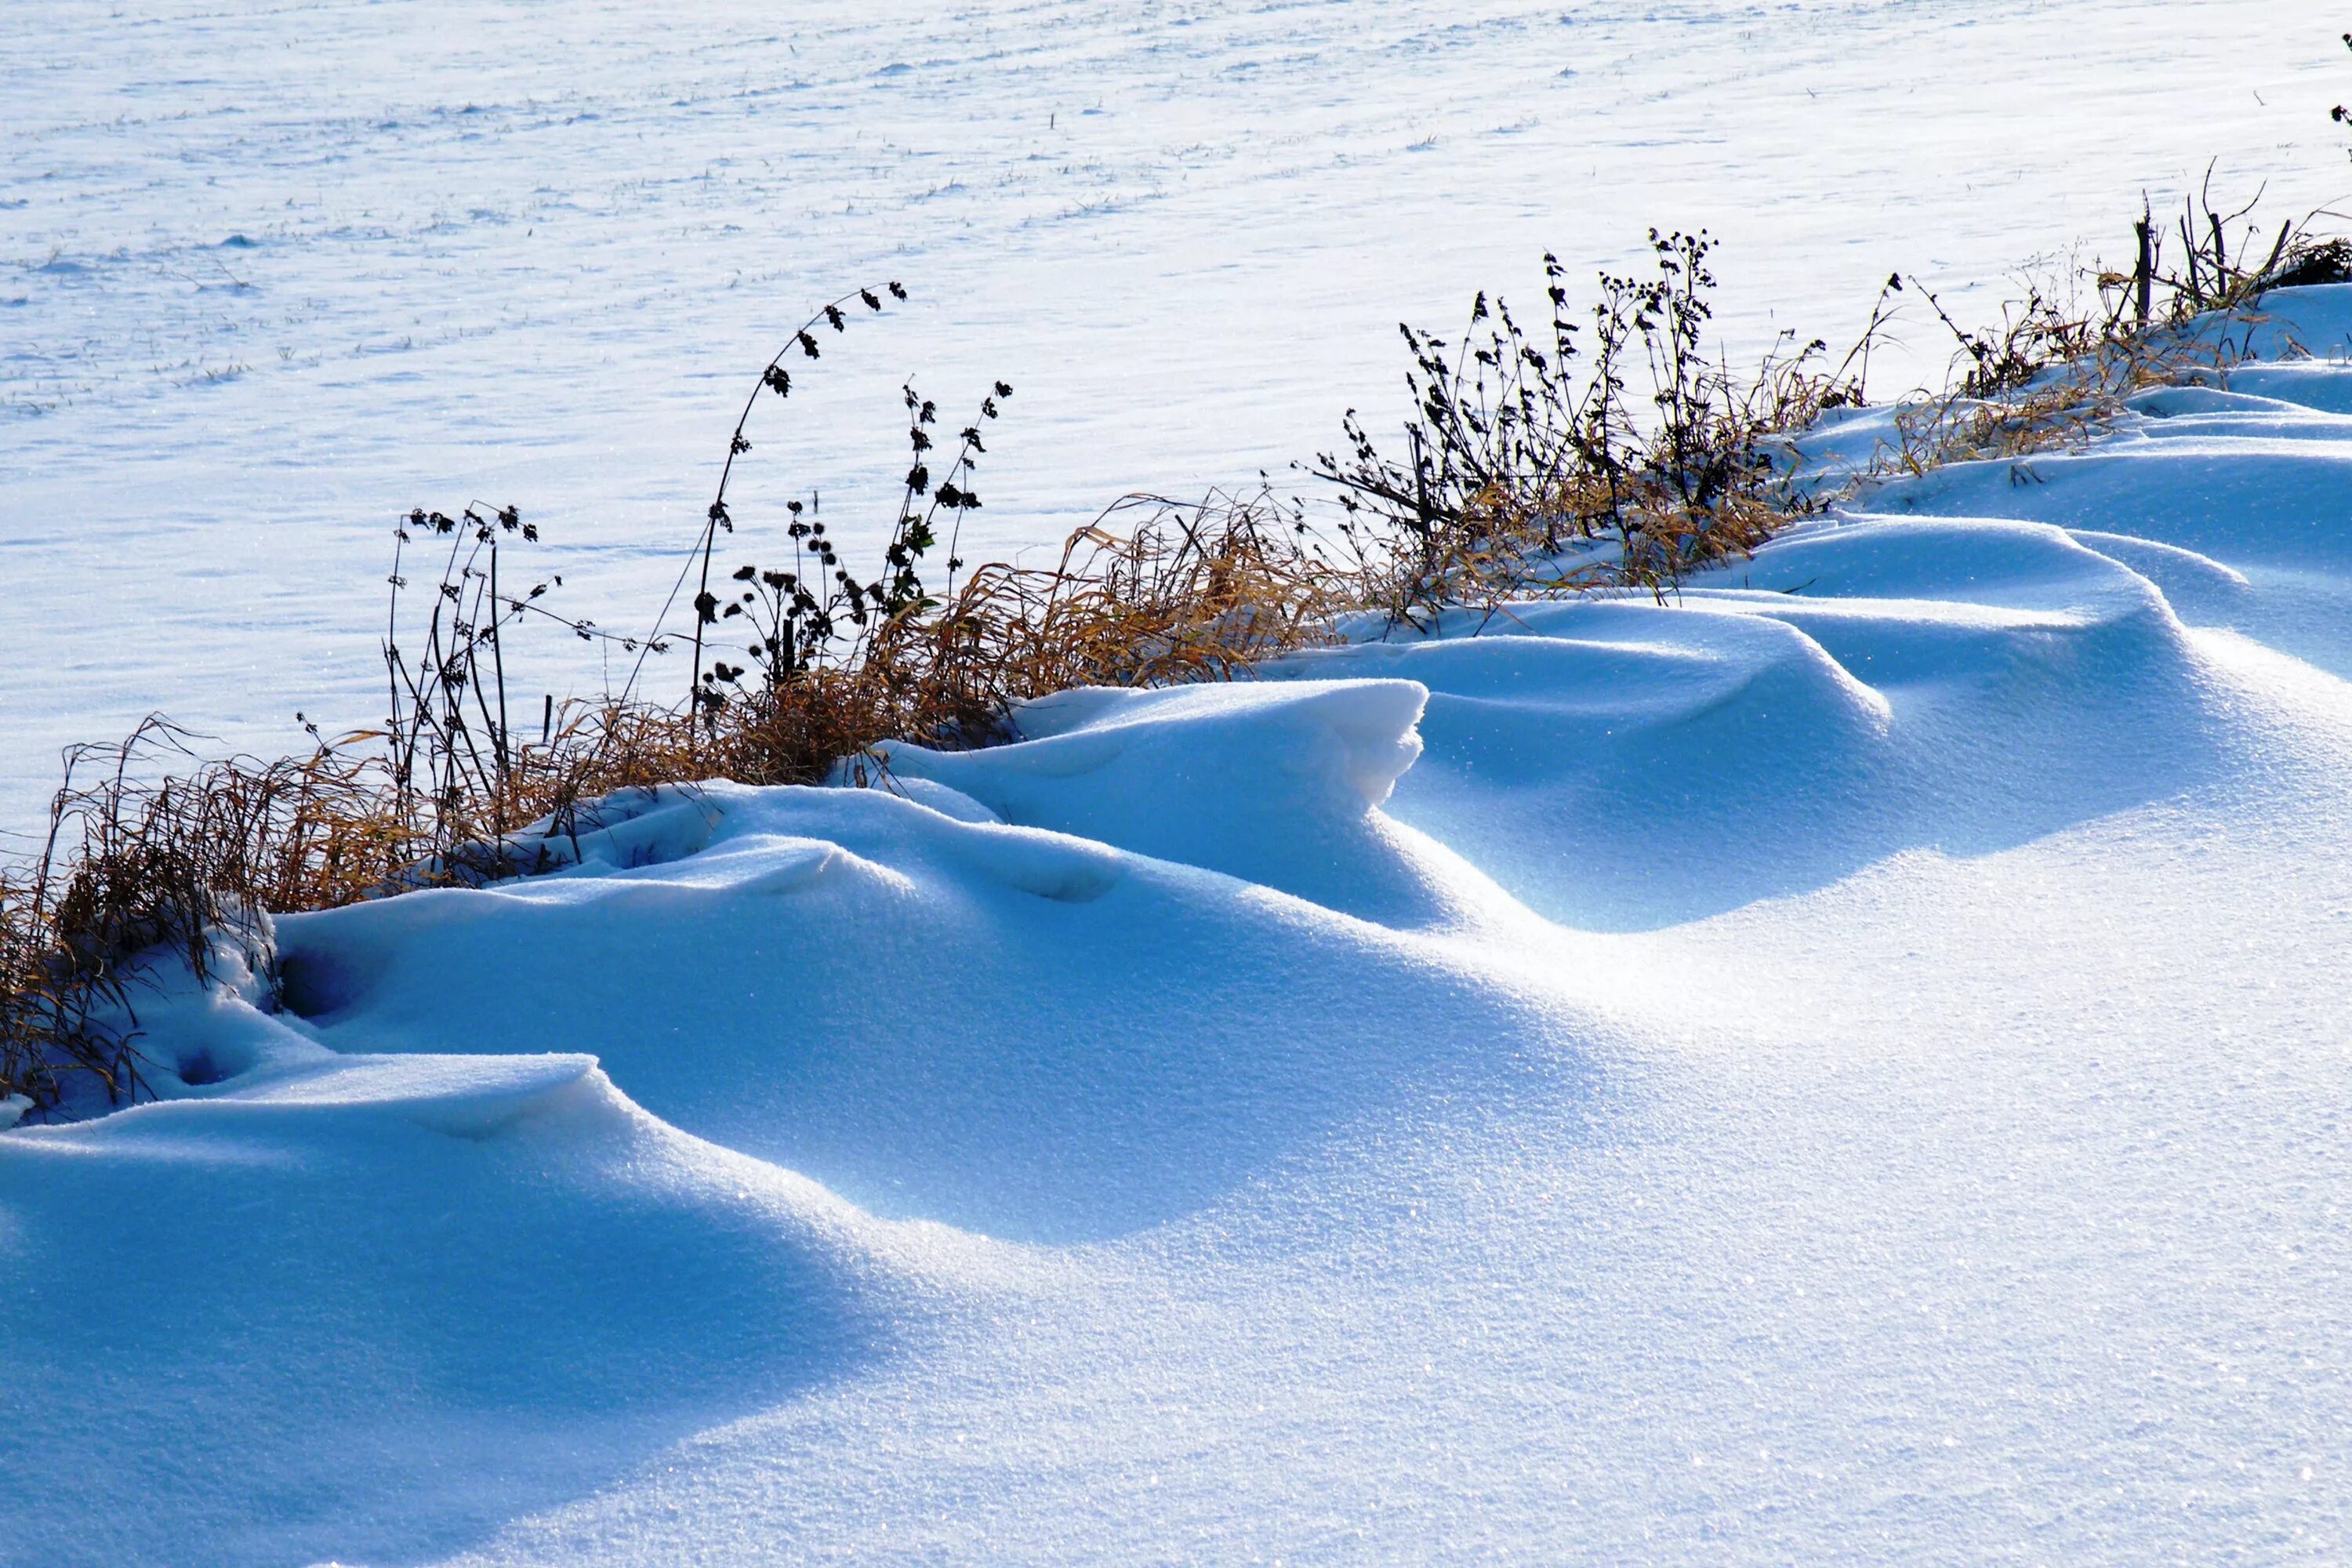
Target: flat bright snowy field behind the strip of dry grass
[{"x": 276, "y": 274}]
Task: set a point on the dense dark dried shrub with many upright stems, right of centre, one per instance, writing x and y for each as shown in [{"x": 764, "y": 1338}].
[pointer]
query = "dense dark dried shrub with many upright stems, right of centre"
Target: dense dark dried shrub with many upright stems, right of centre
[{"x": 1532, "y": 469}]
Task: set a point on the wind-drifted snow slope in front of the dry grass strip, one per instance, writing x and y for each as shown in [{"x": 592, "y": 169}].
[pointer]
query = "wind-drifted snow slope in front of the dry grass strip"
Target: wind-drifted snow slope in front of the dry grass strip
[{"x": 1840, "y": 1068}]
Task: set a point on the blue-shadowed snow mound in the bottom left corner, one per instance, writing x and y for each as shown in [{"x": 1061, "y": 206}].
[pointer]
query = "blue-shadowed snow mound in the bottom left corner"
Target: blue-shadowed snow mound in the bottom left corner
[{"x": 380, "y": 1304}]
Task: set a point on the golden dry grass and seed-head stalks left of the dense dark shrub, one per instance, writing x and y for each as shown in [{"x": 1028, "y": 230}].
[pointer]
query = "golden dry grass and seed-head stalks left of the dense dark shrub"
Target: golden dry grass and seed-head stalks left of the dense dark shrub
[{"x": 161, "y": 864}]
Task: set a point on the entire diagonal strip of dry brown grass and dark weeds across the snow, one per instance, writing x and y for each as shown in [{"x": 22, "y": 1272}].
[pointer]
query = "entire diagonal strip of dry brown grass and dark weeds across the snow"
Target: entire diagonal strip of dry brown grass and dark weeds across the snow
[{"x": 1598, "y": 453}]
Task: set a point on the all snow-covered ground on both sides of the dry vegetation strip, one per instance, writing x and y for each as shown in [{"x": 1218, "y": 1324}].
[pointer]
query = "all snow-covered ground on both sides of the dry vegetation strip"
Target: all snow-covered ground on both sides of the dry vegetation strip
[{"x": 1847, "y": 1068}]
